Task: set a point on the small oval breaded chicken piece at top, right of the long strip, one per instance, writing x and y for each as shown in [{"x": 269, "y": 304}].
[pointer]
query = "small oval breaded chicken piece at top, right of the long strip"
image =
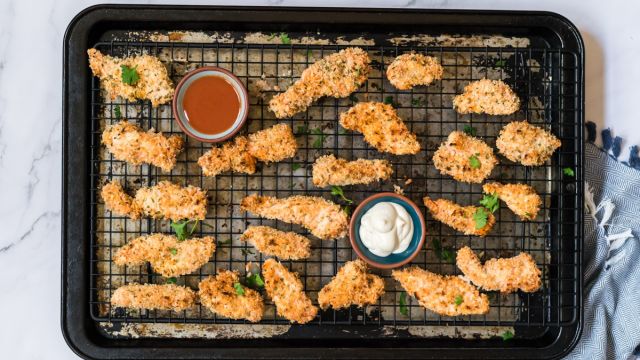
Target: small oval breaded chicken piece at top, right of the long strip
[{"x": 409, "y": 70}]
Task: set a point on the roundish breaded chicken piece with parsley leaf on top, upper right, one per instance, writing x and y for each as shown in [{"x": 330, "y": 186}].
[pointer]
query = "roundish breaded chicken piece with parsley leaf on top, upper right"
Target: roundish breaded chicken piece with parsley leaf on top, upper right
[{"x": 465, "y": 158}]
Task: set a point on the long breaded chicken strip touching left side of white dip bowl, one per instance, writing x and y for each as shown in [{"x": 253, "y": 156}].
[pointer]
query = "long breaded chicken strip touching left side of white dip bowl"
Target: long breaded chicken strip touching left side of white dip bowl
[{"x": 321, "y": 217}]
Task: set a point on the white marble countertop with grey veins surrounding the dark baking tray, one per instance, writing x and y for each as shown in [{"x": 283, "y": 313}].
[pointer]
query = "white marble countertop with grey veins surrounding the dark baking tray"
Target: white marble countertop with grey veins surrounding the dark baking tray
[{"x": 31, "y": 35}]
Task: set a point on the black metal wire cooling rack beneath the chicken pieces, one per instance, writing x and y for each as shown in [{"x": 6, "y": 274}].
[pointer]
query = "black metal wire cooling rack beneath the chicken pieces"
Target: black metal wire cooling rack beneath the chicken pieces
[{"x": 547, "y": 81}]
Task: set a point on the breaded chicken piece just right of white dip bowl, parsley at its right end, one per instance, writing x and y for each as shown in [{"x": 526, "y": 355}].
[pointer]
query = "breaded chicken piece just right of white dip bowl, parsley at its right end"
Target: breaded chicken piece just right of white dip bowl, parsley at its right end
[{"x": 459, "y": 217}]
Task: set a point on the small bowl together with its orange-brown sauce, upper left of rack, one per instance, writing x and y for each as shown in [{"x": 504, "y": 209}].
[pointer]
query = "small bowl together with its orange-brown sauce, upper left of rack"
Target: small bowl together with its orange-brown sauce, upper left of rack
[{"x": 210, "y": 104}]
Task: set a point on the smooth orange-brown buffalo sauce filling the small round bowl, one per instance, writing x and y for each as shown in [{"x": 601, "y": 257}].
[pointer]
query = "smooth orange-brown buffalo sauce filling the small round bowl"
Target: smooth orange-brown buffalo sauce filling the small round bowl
[{"x": 211, "y": 105}]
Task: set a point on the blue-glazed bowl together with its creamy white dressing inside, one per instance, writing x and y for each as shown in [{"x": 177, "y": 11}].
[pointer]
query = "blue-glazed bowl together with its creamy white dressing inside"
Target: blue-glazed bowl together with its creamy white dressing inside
[{"x": 387, "y": 230}]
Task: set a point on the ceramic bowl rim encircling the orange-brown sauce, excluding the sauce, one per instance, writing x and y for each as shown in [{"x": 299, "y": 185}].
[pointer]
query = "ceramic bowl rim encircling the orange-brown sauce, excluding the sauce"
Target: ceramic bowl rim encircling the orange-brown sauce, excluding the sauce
[{"x": 181, "y": 89}]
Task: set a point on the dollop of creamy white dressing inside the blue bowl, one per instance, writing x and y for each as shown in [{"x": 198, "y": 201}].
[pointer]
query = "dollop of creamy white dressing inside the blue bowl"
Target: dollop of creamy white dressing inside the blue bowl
[{"x": 386, "y": 228}]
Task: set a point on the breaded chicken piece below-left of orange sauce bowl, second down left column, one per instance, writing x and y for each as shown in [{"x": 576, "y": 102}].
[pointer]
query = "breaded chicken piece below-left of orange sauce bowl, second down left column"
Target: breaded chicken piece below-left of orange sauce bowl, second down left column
[{"x": 127, "y": 142}]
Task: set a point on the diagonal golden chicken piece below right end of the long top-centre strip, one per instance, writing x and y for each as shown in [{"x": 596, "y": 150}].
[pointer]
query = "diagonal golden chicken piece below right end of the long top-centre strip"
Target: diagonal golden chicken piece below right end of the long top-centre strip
[{"x": 382, "y": 128}]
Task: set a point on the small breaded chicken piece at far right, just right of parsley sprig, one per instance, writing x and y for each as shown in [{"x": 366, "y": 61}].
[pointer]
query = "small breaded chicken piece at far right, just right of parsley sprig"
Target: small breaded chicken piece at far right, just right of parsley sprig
[{"x": 522, "y": 199}]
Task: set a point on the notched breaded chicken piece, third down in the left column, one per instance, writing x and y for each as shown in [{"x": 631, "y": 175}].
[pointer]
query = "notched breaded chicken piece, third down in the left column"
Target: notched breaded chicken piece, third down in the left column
[{"x": 164, "y": 200}]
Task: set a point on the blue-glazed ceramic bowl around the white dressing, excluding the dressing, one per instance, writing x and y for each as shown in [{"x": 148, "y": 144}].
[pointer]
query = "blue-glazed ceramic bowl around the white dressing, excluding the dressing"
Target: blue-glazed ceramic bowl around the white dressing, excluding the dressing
[{"x": 393, "y": 260}]
